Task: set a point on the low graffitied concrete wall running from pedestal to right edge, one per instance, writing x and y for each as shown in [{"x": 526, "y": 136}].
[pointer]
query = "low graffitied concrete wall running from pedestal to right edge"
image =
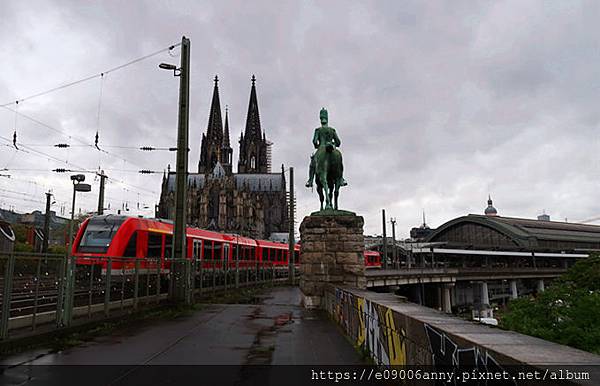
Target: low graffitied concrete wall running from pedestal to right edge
[{"x": 402, "y": 333}]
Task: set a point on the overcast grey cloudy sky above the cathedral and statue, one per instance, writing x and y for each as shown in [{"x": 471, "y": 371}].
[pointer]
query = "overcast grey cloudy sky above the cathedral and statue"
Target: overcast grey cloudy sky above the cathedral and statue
[{"x": 437, "y": 104}]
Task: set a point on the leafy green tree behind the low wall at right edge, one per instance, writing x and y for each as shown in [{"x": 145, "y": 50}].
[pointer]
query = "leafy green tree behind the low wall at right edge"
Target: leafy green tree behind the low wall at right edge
[{"x": 567, "y": 312}]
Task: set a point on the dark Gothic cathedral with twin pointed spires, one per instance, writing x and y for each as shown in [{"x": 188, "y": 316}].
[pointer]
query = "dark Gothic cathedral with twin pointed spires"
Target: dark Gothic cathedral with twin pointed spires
[{"x": 251, "y": 202}]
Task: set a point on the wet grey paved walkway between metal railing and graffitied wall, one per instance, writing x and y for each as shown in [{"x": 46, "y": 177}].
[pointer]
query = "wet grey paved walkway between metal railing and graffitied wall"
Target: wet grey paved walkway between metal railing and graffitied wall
[{"x": 277, "y": 331}]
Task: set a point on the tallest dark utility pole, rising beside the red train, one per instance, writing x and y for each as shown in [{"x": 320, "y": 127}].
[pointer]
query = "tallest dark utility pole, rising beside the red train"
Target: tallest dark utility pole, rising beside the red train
[{"x": 179, "y": 248}]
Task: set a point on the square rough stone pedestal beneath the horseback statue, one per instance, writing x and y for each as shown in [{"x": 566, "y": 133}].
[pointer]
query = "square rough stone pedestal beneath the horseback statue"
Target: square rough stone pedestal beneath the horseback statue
[{"x": 331, "y": 252}]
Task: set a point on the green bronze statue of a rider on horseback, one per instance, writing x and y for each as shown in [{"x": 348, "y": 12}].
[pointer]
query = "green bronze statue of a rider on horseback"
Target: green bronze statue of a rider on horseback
[{"x": 326, "y": 164}]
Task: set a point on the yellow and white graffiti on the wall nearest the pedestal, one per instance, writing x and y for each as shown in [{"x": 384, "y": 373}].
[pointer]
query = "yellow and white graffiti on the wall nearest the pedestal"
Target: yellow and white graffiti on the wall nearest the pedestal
[{"x": 373, "y": 327}]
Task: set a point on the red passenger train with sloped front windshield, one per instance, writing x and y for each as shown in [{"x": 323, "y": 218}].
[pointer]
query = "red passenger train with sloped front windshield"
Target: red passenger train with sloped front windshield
[{"x": 121, "y": 237}]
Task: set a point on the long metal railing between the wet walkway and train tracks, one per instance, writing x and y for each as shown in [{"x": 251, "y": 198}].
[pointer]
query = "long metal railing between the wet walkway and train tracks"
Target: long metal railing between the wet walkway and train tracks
[{"x": 56, "y": 291}]
